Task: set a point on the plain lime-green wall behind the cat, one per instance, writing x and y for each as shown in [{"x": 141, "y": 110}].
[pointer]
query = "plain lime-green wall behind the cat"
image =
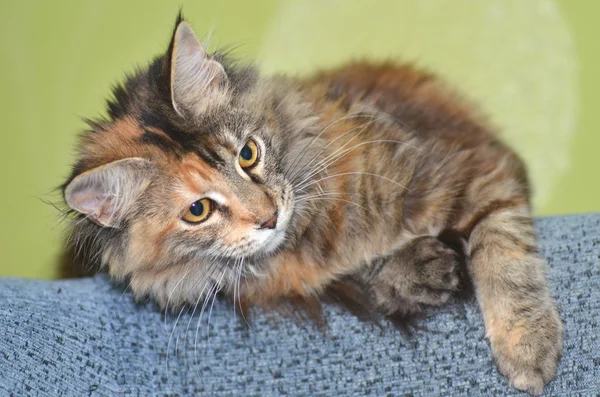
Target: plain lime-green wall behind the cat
[{"x": 532, "y": 65}]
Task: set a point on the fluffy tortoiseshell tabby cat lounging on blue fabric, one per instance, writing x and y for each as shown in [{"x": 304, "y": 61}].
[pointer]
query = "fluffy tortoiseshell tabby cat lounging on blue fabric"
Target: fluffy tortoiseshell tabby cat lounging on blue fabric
[{"x": 207, "y": 176}]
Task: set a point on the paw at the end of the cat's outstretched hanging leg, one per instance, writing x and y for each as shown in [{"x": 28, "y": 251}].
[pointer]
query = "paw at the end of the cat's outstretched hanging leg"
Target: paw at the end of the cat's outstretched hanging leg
[{"x": 528, "y": 352}]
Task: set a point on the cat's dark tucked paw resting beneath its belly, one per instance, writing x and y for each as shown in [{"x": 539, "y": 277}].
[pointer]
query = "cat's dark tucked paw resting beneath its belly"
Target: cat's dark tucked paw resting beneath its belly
[{"x": 423, "y": 272}]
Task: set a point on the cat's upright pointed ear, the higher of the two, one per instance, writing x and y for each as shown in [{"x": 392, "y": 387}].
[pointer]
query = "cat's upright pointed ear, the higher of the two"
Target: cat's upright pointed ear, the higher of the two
[{"x": 196, "y": 78}]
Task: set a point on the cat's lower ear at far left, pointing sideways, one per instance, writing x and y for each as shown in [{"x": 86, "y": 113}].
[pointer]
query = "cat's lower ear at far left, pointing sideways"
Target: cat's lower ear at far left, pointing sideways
[{"x": 107, "y": 193}]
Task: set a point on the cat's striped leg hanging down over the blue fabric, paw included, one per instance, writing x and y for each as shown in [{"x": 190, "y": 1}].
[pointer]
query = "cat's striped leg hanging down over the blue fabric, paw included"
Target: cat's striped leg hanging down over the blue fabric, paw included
[{"x": 508, "y": 274}]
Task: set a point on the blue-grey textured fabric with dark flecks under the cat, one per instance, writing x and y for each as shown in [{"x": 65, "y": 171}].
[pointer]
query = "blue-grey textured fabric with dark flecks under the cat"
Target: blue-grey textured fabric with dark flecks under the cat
[{"x": 87, "y": 337}]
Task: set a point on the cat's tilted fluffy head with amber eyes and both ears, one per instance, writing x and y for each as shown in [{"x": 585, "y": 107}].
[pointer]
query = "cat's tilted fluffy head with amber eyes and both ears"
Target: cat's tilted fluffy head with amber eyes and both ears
[{"x": 193, "y": 163}]
